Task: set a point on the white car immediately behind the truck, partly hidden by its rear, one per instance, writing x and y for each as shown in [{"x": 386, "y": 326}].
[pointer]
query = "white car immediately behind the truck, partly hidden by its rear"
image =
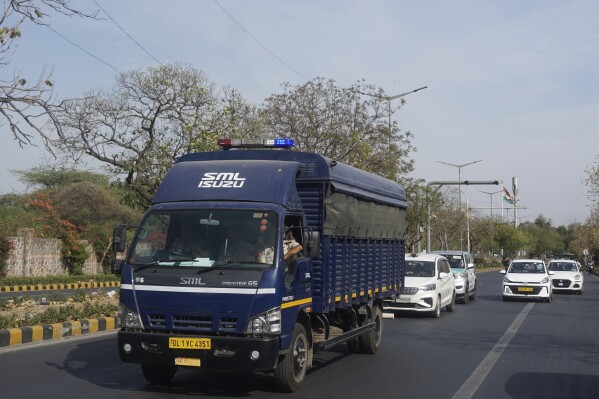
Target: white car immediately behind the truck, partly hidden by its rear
[{"x": 429, "y": 285}]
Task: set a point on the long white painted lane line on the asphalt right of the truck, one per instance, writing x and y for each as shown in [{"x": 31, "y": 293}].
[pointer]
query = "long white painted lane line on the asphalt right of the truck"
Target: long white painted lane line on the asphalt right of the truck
[{"x": 469, "y": 388}]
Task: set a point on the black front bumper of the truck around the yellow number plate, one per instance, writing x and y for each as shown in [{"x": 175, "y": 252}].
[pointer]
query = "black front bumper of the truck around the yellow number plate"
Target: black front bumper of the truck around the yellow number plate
[{"x": 238, "y": 353}]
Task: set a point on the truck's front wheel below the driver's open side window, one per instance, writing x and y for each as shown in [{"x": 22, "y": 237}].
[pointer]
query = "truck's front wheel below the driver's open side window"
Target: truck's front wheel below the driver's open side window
[{"x": 291, "y": 369}]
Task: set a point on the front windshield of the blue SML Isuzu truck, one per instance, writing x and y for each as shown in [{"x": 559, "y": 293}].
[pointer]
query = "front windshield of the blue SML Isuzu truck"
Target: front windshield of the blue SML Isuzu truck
[{"x": 206, "y": 238}]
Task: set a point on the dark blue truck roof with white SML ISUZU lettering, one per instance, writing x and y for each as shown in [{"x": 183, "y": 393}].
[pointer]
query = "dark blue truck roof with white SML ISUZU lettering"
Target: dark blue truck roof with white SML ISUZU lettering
[{"x": 271, "y": 178}]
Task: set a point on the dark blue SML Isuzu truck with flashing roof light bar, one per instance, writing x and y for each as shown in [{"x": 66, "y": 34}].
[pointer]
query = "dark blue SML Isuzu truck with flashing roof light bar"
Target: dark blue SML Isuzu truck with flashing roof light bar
[{"x": 238, "y": 301}]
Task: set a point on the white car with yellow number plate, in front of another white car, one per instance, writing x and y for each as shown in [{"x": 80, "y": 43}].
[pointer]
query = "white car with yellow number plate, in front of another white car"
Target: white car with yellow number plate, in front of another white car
[{"x": 527, "y": 278}]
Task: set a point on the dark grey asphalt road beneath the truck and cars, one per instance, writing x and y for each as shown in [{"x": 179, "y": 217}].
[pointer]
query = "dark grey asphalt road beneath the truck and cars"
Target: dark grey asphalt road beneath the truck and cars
[{"x": 485, "y": 349}]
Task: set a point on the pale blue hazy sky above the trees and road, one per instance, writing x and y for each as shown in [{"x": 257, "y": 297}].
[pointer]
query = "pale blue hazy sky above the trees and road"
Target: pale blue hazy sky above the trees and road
[{"x": 510, "y": 83}]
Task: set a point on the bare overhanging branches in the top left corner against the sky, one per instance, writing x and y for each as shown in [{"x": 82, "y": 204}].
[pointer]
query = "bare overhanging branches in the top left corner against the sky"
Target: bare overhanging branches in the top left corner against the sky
[{"x": 28, "y": 107}]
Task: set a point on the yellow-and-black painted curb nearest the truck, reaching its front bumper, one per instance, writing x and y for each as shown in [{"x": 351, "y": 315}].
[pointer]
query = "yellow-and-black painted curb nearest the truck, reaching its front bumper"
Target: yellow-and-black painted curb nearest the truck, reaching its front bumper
[{"x": 46, "y": 332}]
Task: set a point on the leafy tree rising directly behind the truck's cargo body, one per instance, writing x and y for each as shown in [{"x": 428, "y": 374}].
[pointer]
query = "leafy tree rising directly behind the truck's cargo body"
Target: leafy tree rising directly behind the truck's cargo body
[{"x": 341, "y": 124}]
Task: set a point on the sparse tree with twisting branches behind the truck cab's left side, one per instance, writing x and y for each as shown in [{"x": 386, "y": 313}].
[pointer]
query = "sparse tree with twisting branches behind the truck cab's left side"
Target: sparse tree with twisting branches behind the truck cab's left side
[{"x": 149, "y": 119}]
